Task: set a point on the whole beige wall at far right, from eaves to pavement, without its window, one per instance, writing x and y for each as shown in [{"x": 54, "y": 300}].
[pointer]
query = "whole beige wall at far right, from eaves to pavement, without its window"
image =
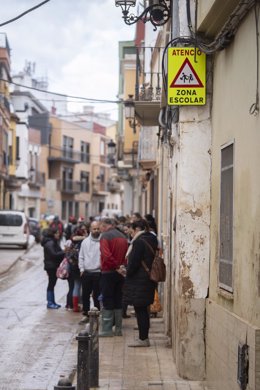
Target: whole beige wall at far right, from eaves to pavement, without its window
[{"x": 233, "y": 318}]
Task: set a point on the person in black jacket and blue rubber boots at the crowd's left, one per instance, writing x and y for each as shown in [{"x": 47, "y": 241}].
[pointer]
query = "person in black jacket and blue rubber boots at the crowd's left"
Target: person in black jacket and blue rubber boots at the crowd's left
[{"x": 53, "y": 255}]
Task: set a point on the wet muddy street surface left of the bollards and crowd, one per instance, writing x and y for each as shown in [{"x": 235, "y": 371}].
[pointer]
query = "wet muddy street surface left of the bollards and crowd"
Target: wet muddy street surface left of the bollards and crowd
[{"x": 37, "y": 345}]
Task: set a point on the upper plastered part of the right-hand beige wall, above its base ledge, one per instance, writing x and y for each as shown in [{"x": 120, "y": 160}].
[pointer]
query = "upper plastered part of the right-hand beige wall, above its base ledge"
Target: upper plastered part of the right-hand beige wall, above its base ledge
[{"x": 232, "y": 122}]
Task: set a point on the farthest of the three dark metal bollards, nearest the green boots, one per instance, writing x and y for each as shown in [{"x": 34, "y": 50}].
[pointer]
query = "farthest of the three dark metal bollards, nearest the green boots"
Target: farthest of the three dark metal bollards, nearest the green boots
[{"x": 94, "y": 347}]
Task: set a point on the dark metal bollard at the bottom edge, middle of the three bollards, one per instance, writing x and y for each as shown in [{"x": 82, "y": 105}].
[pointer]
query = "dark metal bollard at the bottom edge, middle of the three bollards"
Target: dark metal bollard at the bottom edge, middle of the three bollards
[{"x": 83, "y": 360}]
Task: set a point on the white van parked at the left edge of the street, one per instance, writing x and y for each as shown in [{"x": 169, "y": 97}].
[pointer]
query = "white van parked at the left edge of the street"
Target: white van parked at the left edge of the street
[{"x": 14, "y": 228}]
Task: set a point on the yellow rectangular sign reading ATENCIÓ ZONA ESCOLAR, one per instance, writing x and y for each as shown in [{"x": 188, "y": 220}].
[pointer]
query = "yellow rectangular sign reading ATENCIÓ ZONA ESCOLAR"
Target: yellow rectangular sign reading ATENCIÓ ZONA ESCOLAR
[{"x": 186, "y": 76}]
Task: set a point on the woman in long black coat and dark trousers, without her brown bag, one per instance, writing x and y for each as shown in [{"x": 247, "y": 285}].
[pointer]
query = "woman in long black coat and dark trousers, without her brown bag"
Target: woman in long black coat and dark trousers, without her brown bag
[{"x": 138, "y": 288}]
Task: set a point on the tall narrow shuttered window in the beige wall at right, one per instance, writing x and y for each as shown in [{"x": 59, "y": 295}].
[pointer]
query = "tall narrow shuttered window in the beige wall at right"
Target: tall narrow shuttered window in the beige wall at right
[{"x": 226, "y": 219}]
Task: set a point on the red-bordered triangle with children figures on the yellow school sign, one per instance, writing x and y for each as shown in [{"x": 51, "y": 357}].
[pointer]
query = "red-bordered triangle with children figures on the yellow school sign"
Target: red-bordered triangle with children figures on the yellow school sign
[{"x": 186, "y": 77}]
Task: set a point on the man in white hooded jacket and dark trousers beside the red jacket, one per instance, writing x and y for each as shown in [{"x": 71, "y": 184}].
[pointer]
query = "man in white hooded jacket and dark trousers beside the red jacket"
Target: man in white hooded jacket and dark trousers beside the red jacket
[{"x": 89, "y": 266}]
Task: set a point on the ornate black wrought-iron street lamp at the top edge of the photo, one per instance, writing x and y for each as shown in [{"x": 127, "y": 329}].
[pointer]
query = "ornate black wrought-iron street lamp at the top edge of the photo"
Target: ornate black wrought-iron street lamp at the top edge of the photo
[{"x": 158, "y": 14}]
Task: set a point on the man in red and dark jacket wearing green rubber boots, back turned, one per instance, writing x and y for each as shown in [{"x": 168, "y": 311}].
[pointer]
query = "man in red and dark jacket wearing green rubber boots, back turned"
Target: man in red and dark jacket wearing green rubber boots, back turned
[{"x": 113, "y": 248}]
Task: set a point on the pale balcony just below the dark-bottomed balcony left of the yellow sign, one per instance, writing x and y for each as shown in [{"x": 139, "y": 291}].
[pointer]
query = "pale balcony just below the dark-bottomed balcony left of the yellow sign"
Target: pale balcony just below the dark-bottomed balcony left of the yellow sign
[{"x": 148, "y": 147}]
